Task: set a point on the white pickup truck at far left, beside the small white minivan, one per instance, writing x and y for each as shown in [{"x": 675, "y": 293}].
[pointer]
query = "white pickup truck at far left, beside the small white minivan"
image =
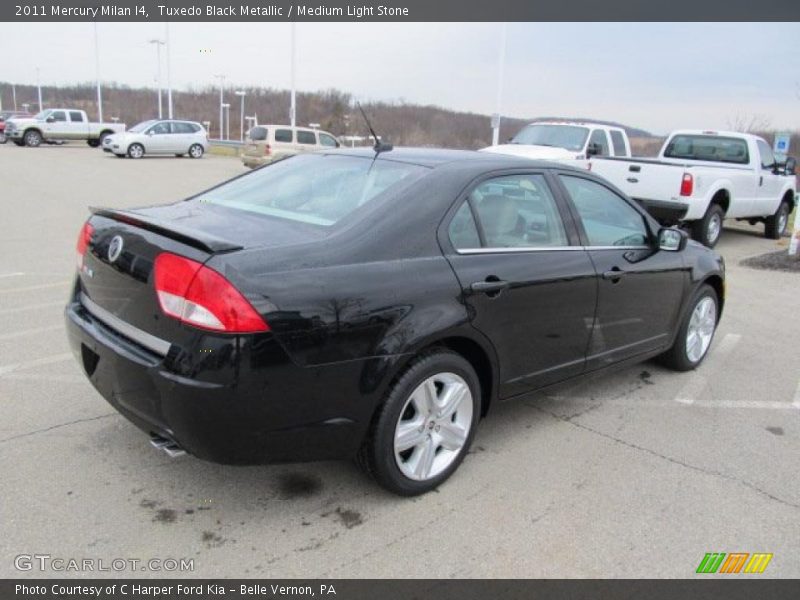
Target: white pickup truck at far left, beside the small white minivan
[{"x": 59, "y": 124}]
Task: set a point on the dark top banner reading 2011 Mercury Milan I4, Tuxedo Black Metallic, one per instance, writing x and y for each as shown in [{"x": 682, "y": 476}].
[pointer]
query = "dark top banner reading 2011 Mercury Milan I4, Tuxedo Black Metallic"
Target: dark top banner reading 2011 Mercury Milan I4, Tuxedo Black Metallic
[{"x": 401, "y": 10}]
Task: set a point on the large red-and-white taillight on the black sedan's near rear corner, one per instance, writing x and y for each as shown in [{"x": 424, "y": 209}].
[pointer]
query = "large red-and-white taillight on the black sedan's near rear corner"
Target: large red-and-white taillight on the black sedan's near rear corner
[{"x": 199, "y": 296}]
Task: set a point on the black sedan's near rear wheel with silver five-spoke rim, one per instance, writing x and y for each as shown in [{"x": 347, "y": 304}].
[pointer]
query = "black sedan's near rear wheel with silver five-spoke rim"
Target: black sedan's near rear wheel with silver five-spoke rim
[{"x": 424, "y": 428}]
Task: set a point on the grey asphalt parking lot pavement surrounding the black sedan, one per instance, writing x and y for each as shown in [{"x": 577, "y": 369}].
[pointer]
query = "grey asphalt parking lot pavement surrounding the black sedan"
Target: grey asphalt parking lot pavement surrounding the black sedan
[{"x": 635, "y": 474}]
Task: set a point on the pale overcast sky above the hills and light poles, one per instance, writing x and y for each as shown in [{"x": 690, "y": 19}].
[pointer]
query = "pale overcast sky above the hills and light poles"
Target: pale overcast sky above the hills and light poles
[{"x": 657, "y": 76}]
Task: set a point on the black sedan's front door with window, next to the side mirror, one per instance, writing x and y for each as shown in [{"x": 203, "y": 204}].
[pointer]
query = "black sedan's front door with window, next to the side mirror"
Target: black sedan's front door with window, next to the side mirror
[{"x": 640, "y": 289}]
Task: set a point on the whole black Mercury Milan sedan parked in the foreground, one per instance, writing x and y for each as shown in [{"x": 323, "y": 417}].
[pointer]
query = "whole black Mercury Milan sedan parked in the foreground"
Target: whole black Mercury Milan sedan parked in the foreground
[{"x": 353, "y": 304}]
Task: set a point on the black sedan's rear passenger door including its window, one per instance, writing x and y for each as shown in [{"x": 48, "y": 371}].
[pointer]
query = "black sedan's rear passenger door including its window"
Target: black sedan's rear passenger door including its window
[{"x": 530, "y": 287}]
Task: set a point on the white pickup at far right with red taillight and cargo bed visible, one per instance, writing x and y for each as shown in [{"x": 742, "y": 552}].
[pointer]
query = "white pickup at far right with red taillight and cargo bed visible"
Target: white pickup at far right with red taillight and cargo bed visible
[{"x": 703, "y": 177}]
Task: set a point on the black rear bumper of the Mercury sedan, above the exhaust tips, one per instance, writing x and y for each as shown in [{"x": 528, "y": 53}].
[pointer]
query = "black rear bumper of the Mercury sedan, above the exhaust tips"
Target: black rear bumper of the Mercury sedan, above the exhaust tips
[{"x": 241, "y": 402}]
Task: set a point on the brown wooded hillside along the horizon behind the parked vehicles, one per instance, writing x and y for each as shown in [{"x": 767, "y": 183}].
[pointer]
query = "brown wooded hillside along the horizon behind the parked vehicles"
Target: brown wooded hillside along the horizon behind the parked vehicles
[{"x": 401, "y": 122}]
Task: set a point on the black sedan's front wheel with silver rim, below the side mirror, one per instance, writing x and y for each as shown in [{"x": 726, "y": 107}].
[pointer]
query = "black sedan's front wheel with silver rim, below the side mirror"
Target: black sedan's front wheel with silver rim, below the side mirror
[{"x": 696, "y": 333}]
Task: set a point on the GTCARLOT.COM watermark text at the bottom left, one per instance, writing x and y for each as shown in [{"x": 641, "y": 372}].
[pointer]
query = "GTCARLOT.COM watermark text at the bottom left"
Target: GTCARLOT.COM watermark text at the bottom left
[{"x": 57, "y": 564}]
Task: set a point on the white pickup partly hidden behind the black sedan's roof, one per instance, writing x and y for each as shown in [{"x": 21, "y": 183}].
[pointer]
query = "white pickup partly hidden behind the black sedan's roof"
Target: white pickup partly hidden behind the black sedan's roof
[{"x": 566, "y": 141}]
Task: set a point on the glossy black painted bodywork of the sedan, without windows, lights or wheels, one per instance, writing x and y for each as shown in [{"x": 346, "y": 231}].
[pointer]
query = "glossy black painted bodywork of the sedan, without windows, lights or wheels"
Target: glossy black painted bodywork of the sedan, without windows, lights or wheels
[{"x": 348, "y": 308}]
